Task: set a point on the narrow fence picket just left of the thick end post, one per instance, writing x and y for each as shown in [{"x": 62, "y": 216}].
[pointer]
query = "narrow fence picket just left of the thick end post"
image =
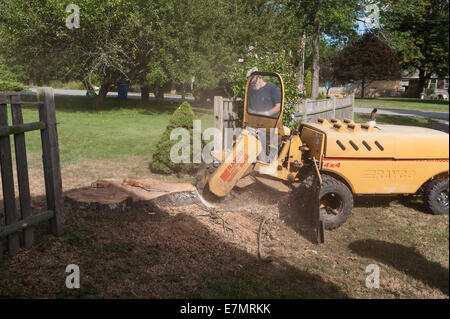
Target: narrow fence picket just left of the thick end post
[{"x": 22, "y": 171}]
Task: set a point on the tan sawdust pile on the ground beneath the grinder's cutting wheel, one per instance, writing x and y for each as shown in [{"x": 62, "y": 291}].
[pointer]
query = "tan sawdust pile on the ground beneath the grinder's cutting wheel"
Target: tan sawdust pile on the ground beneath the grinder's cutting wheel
[{"x": 237, "y": 220}]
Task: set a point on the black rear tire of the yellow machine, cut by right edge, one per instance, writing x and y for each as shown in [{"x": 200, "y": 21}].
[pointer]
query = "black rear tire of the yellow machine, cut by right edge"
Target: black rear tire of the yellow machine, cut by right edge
[{"x": 436, "y": 196}]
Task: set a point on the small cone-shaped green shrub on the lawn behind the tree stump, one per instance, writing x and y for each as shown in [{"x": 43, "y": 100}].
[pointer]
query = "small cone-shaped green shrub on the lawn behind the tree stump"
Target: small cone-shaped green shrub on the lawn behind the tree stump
[{"x": 161, "y": 163}]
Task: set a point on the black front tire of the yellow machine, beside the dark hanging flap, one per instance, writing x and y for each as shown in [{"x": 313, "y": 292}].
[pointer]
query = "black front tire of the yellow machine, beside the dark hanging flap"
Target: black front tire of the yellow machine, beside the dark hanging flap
[{"x": 337, "y": 198}]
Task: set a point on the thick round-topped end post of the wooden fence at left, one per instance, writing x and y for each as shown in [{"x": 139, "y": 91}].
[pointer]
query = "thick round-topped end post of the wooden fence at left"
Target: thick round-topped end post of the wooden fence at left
[{"x": 50, "y": 158}]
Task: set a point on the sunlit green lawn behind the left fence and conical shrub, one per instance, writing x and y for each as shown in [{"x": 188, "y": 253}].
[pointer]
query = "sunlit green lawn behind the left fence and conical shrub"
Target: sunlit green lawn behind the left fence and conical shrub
[{"x": 122, "y": 128}]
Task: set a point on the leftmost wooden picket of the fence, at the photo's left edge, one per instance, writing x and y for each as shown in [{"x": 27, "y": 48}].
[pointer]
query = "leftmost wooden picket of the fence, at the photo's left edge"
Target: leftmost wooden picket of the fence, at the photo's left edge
[{"x": 9, "y": 198}]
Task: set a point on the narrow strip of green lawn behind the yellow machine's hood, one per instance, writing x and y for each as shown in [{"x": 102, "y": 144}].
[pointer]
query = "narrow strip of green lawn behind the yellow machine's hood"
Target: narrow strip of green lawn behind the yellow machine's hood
[{"x": 404, "y": 104}]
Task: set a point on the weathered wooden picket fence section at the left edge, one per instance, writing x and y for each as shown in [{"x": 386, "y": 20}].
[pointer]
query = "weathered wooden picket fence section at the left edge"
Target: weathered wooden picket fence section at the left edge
[{"x": 16, "y": 230}]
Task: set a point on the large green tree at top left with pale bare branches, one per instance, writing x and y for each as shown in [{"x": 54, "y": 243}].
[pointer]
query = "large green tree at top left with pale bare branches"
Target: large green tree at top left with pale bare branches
[{"x": 35, "y": 32}]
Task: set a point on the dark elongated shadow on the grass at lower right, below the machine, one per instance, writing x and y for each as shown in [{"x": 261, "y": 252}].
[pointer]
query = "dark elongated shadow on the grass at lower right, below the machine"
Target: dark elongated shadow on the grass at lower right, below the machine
[{"x": 404, "y": 259}]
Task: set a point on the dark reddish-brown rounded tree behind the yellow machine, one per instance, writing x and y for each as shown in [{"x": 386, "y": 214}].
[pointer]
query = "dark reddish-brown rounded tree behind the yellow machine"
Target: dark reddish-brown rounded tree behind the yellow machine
[{"x": 366, "y": 60}]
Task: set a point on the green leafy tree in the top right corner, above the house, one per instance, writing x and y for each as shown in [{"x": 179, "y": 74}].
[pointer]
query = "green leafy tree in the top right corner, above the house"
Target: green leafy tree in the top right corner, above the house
[{"x": 419, "y": 31}]
